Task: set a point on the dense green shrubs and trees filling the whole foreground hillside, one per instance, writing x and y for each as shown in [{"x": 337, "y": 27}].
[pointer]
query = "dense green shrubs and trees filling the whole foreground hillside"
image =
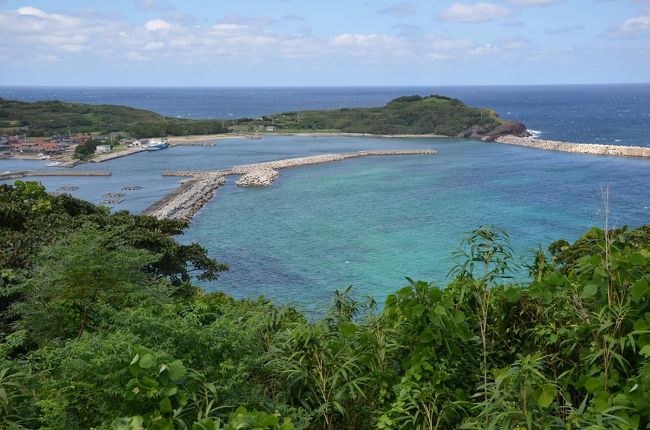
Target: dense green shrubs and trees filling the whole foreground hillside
[{"x": 101, "y": 328}]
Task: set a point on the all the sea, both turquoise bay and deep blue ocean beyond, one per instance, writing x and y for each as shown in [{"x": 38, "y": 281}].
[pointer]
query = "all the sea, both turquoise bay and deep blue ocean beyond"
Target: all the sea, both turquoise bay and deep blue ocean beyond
[{"x": 369, "y": 222}]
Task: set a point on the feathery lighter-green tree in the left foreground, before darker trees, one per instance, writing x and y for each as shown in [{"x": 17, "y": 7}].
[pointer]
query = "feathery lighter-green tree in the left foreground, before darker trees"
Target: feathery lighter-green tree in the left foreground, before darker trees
[{"x": 78, "y": 277}]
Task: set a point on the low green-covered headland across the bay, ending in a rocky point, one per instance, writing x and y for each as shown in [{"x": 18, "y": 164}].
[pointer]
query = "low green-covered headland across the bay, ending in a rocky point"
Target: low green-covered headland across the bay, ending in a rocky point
[{"x": 405, "y": 115}]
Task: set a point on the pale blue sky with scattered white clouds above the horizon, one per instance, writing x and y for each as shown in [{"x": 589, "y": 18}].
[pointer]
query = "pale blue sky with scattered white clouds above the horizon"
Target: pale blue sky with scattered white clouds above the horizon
[{"x": 320, "y": 43}]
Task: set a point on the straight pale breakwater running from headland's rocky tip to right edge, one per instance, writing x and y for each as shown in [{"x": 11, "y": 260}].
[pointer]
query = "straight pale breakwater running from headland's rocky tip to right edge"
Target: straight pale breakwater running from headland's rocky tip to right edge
[{"x": 580, "y": 148}]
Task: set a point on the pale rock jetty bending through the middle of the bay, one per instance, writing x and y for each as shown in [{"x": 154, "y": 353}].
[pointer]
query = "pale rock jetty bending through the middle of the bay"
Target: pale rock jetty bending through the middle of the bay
[{"x": 199, "y": 187}]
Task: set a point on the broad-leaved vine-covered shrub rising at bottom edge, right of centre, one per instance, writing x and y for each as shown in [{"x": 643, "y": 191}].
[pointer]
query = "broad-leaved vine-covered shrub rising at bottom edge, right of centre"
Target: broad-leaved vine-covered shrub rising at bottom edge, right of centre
[{"x": 436, "y": 370}]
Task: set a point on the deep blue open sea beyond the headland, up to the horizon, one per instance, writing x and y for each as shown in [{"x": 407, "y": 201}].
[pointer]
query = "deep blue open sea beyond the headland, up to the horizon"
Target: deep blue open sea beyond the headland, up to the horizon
[{"x": 612, "y": 114}]
